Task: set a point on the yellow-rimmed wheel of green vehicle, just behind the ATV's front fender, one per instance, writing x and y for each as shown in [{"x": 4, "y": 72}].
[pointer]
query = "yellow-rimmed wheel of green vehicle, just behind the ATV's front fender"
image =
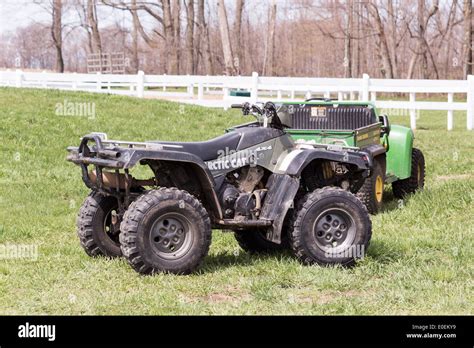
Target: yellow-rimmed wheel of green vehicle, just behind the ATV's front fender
[{"x": 371, "y": 192}]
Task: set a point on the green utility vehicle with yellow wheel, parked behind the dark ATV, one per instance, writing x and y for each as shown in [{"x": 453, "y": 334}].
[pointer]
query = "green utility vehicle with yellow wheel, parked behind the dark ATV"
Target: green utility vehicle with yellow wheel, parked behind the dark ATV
[{"x": 357, "y": 124}]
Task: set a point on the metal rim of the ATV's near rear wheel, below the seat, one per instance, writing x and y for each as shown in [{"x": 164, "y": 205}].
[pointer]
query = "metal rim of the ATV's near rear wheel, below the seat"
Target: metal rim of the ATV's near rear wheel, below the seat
[{"x": 171, "y": 236}]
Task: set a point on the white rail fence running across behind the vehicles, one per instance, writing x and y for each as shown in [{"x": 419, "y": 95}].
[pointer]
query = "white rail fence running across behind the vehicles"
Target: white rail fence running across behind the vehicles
[{"x": 214, "y": 91}]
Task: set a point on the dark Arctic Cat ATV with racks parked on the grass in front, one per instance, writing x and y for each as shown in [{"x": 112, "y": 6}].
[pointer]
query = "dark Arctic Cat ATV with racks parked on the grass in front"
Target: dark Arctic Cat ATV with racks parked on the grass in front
[{"x": 255, "y": 180}]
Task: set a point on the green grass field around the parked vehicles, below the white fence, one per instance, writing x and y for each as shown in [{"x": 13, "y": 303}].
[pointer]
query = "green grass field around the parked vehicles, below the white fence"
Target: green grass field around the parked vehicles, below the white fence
[{"x": 420, "y": 260}]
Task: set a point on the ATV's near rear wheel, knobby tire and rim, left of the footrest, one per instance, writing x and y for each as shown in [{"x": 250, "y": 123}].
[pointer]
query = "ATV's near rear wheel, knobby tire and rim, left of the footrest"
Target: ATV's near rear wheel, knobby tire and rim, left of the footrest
[{"x": 165, "y": 230}]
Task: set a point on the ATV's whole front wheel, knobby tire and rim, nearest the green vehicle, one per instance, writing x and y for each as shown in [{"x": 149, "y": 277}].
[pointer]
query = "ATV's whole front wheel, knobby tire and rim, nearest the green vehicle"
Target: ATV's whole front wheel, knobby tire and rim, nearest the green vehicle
[{"x": 331, "y": 226}]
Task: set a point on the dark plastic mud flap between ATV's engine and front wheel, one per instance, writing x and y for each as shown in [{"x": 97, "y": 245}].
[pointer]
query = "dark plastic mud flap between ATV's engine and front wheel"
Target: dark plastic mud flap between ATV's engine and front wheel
[{"x": 282, "y": 190}]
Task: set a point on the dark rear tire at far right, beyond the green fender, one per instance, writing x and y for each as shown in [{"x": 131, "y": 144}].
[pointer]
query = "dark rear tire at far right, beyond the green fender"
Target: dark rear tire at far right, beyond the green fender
[{"x": 416, "y": 181}]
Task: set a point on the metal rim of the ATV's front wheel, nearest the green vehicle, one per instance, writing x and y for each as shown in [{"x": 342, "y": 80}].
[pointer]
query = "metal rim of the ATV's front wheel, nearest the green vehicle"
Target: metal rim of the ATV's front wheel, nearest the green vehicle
[{"x": 334, "y": 230}]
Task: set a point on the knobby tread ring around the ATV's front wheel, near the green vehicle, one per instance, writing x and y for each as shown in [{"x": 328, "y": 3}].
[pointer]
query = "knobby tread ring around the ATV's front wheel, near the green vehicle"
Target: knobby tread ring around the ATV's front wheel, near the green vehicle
[{"x": 302, "y": 206}]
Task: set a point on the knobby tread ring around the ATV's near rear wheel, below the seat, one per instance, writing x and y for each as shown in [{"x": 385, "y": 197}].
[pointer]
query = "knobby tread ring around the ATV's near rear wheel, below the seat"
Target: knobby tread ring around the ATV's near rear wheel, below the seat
[{"x": 134, "y": 215}]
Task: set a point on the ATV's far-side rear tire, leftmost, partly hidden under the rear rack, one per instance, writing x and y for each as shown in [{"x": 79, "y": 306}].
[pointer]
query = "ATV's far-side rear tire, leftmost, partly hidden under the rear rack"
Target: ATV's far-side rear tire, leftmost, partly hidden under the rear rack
[{"x": 94, "y": 226}]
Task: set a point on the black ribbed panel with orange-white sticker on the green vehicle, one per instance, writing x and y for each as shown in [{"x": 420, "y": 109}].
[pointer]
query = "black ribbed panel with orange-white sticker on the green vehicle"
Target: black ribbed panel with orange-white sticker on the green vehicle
[{"x": 329, "y": 117}]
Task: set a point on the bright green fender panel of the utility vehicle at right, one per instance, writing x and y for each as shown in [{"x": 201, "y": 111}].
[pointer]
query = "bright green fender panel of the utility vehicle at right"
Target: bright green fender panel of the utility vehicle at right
[{"x": 400, "y": 143}]
